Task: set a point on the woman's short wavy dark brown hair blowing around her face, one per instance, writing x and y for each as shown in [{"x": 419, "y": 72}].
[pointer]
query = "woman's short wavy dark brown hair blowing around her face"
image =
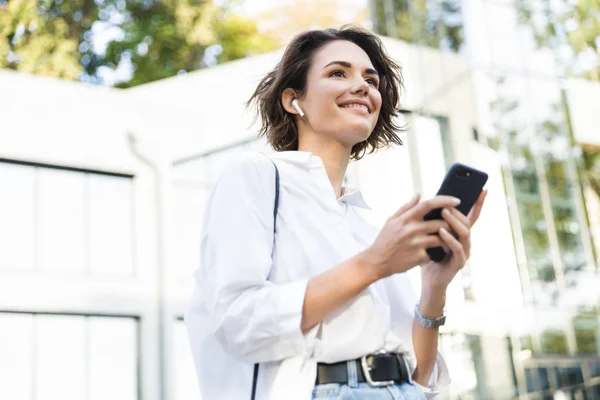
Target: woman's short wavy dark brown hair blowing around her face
[{"x": 279, "y": 126}]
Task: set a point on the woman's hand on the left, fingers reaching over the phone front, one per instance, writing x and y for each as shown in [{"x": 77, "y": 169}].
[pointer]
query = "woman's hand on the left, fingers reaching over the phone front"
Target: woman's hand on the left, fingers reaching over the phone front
[{"x": 405, "y": 237}]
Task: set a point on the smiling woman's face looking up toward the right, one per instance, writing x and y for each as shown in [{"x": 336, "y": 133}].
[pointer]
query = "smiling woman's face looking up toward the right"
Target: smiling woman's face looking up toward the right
[{"x": 342, "y": 100}]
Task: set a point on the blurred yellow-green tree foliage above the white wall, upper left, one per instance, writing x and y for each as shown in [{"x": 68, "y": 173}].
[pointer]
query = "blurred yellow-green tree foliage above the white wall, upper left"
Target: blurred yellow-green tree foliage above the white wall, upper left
[{"x": 156, "y": 38}]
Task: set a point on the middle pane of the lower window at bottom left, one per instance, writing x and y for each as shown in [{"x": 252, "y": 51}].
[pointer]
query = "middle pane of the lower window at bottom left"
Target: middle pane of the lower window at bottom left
[{"x": 61, "y": 353}]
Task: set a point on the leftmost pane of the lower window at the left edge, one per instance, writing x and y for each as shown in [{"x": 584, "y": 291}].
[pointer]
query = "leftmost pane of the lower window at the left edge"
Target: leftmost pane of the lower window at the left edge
[{"x": 16, "y": 369}]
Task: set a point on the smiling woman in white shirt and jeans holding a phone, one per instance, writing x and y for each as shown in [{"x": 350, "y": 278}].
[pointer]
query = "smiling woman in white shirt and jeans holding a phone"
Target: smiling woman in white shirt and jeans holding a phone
[{"x": 323, "y": 306}]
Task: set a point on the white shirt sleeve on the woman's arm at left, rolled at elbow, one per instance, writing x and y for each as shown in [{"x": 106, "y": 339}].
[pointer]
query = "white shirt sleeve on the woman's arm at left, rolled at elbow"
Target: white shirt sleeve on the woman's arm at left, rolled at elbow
[{"x": 253, "y": 318}]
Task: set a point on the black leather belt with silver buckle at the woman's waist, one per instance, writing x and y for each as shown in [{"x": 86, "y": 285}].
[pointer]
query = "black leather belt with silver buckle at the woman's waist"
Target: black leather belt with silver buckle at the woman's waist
[{"x": 376, "y": 369}]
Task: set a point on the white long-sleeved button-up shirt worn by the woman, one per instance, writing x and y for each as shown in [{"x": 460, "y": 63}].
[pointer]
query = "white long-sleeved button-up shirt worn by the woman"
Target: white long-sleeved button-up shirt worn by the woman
[{"x": 247, "y": 302}]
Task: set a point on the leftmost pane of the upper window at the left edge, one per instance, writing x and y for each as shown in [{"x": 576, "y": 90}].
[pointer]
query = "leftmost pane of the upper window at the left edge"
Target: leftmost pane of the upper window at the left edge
[{"x": 17, "y": 183}]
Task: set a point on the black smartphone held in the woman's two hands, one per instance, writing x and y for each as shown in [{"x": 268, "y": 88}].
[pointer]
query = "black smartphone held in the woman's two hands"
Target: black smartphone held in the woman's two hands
[{"x": 465, "y": 183}]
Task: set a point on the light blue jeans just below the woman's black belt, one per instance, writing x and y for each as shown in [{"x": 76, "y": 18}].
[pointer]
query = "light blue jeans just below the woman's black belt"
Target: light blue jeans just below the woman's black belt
[{"x": 336, "y": 391}]
